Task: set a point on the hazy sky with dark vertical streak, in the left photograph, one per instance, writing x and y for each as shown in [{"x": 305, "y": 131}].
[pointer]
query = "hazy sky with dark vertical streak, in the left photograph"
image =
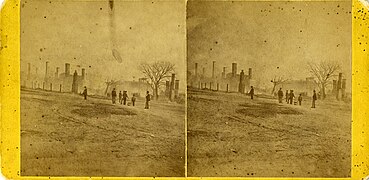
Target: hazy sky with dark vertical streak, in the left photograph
[{"x": 79, "y": 32}]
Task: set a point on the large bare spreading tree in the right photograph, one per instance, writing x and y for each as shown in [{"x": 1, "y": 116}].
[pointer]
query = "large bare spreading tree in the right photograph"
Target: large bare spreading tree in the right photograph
[{"x": 323, "y": 72}]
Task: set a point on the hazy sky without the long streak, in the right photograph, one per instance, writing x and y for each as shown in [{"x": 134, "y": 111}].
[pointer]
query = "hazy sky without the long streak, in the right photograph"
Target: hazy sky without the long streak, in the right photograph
[{"x": 267, "y": 35}]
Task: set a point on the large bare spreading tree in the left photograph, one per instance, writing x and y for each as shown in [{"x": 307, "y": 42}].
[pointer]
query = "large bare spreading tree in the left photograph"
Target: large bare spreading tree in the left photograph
[{"x": 157, "y": 72}]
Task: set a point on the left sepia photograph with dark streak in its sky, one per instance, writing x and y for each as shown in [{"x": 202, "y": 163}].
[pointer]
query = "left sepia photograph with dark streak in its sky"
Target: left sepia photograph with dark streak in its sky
[{"x": 103, "y": 88}]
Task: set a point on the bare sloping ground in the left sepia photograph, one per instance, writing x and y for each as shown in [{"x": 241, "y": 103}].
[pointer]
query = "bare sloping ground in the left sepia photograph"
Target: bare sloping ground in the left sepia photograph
[{"x": 64, "y": 135}]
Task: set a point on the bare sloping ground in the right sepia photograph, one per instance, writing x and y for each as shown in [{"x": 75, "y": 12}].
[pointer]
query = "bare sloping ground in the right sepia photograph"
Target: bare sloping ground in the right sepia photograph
[{"x": 232, "y": 135}]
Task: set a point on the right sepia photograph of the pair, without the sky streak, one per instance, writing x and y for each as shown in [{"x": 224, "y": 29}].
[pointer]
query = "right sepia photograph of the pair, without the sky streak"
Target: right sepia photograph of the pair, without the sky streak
[{"x": 269, "y": 88}]
